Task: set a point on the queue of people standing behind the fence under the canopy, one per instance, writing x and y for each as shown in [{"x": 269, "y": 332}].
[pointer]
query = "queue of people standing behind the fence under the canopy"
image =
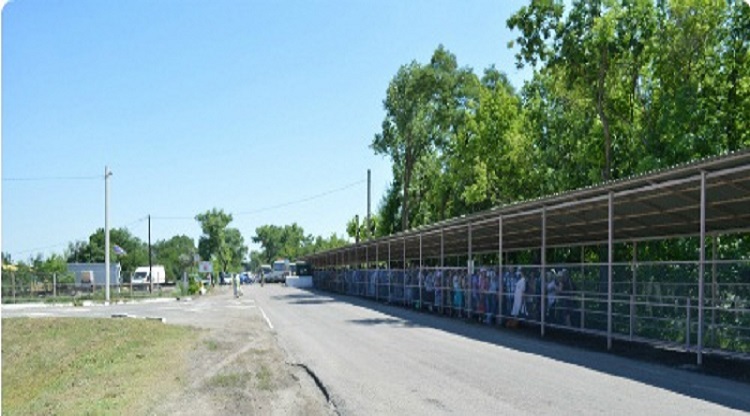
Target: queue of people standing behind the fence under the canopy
[{"x": 458, "y": 293}]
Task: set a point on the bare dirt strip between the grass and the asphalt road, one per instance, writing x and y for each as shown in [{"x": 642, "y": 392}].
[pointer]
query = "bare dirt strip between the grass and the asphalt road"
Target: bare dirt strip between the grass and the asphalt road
[{"x": 239, "y": 369}]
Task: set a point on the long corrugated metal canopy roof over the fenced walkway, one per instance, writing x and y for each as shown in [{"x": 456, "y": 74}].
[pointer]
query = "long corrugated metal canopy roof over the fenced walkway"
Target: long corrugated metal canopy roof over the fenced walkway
[{"x": 657, "y": 205}]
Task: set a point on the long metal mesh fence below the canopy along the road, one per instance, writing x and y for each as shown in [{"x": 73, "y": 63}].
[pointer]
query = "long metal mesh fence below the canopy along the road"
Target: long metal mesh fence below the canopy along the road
[{"x": 654, "y": 302}]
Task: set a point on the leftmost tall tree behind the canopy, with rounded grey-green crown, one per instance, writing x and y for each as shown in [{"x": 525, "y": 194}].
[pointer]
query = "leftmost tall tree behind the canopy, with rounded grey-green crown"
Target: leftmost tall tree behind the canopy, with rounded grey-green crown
[{"x": 426, "y": 105}]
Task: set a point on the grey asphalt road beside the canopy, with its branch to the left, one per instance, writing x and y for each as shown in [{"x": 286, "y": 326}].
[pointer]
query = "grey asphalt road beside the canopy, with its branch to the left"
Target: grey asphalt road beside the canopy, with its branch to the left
[{"x": 379, "y": 359}]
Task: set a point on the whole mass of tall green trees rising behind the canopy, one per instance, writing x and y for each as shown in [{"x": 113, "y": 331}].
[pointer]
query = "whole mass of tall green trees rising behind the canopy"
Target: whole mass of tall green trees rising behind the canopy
[{"x": 619, "y": 87}]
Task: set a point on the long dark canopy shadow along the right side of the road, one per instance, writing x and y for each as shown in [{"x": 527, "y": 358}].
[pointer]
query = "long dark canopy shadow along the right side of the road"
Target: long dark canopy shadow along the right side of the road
[{"x": 720, "y": 380}]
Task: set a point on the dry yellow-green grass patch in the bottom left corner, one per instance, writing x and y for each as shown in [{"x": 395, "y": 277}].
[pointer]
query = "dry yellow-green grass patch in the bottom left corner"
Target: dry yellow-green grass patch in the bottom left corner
[{"x": 90, "y": 366}]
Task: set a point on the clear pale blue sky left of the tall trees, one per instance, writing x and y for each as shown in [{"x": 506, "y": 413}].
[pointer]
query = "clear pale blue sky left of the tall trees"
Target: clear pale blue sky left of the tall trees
[{"x": 237, "y": 105}]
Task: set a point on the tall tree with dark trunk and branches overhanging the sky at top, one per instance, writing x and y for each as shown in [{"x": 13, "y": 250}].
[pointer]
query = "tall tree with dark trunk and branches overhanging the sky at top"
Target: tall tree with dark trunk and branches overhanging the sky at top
[{"x": 596, "y": 53}]
